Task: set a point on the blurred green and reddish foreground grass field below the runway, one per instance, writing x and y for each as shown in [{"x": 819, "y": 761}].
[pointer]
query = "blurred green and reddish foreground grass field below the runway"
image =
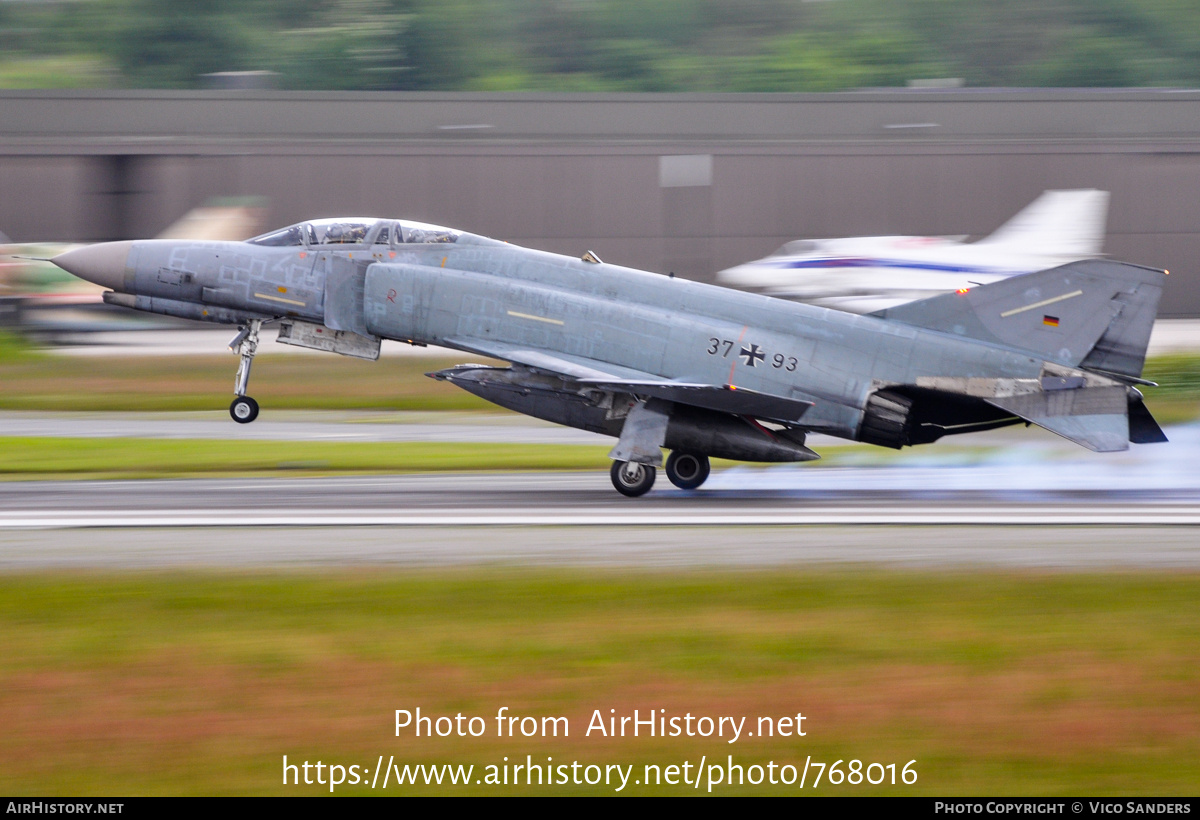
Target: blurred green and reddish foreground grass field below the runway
[{"x": 994, "y": 684}]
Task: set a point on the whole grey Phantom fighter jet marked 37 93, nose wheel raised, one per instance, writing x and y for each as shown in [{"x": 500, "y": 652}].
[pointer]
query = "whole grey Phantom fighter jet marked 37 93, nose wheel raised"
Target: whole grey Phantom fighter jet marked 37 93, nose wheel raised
[{"x": 659, "y": 362}]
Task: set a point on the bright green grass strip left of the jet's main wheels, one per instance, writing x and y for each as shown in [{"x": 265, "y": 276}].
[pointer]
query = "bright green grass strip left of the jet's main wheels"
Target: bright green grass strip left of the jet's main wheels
[{"x": 140, "y": 458}]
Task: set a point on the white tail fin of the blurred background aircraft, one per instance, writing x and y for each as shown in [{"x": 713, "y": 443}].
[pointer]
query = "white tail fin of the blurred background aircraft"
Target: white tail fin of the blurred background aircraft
[{"x": 1069, "y": 224}]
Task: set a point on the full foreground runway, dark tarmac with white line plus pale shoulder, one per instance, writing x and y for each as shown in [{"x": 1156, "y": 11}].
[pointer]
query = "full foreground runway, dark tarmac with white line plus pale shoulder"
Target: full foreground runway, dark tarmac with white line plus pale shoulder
[{"x": 550, "y": 519}]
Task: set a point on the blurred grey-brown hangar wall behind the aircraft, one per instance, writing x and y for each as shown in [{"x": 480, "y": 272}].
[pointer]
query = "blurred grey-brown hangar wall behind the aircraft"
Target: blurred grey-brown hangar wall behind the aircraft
[{"x": 671, "y": 183}]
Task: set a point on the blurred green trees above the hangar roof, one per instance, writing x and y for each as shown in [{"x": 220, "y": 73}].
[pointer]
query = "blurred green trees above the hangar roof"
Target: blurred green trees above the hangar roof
[{"x": 601, "y": 45}]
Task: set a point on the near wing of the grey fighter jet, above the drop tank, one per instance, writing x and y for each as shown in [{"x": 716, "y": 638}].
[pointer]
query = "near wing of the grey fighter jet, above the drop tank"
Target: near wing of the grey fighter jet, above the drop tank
[{"x": 721, "y": 398}]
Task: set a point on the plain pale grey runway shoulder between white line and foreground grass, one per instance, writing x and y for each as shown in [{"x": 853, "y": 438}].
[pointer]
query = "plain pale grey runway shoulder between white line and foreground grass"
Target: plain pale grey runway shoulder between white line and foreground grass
[{"x": 1005, "y": 548}]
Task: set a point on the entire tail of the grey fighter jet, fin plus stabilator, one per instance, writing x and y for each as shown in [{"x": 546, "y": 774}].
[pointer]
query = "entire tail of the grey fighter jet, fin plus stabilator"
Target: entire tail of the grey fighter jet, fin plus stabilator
[{"x": 1089, "y": 321}]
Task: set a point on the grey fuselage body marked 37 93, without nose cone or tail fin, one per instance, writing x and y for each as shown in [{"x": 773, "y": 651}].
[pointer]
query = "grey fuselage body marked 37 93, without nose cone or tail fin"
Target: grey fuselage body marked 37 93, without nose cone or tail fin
[{"x": 473, "y": 294}]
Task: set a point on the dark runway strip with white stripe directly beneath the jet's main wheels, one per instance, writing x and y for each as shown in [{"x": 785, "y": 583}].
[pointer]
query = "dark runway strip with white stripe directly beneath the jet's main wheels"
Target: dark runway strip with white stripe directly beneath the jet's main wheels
[{"x": 740, "y": 495}]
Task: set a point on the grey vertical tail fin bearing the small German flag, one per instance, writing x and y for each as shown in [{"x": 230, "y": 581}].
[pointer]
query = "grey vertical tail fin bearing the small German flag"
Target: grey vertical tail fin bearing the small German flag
[{"x": 1096, "y": 314}]
